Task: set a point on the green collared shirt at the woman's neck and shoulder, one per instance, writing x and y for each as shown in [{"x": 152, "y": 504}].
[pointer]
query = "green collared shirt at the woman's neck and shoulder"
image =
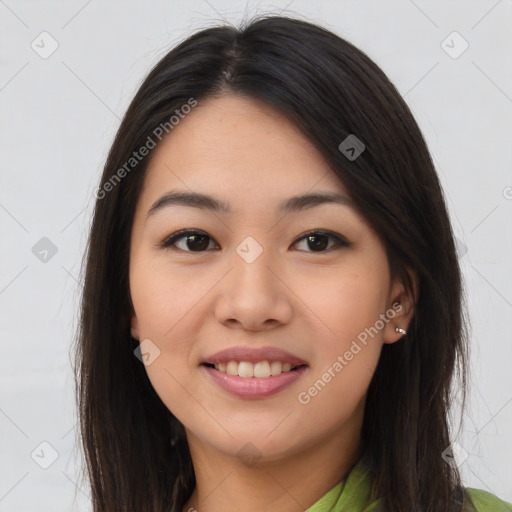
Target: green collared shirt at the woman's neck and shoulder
[{"x": 352, "y": 494}]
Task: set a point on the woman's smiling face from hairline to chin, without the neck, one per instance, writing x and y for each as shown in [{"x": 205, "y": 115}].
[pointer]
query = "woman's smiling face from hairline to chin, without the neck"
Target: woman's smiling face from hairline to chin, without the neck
[{"x": 250, "y": 279}]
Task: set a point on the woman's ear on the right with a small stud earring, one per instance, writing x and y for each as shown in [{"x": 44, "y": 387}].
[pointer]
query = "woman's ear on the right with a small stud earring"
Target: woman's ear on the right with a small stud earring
[{"x": 400, "y": 308}]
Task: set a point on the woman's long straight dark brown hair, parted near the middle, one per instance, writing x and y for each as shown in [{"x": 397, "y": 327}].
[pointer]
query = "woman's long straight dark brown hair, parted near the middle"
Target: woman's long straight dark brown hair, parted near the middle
[{"x": 136, "y": 452}]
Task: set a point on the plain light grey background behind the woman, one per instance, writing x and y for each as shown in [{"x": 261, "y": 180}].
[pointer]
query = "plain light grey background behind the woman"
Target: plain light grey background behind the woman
[{"x": 59, "y": 116}]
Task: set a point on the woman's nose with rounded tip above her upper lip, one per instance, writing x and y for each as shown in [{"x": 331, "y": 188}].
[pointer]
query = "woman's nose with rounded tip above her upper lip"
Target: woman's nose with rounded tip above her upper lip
[{"x": 254, "y": 296}]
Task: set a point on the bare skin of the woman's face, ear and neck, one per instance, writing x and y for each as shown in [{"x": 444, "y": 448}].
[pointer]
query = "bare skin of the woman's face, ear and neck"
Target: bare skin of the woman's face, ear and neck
[{"x": 310, "y": 303}]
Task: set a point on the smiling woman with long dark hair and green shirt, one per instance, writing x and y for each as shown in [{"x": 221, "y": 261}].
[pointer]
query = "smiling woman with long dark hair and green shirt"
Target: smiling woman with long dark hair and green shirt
[{"x": 272, "y": 313}]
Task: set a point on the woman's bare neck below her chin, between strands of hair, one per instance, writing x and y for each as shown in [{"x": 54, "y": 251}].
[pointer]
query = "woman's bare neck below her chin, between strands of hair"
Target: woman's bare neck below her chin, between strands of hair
[{"x": 224, "y": 482}]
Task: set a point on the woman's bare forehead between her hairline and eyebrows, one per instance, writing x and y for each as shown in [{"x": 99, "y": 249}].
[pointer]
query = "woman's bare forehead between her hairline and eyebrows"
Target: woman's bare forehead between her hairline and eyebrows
[{"x": 240, "y": 149}]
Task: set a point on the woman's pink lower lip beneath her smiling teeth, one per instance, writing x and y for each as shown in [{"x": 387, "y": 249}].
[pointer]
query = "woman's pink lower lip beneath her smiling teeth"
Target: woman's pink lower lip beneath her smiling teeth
[{"x": 253, "y": 387}]
